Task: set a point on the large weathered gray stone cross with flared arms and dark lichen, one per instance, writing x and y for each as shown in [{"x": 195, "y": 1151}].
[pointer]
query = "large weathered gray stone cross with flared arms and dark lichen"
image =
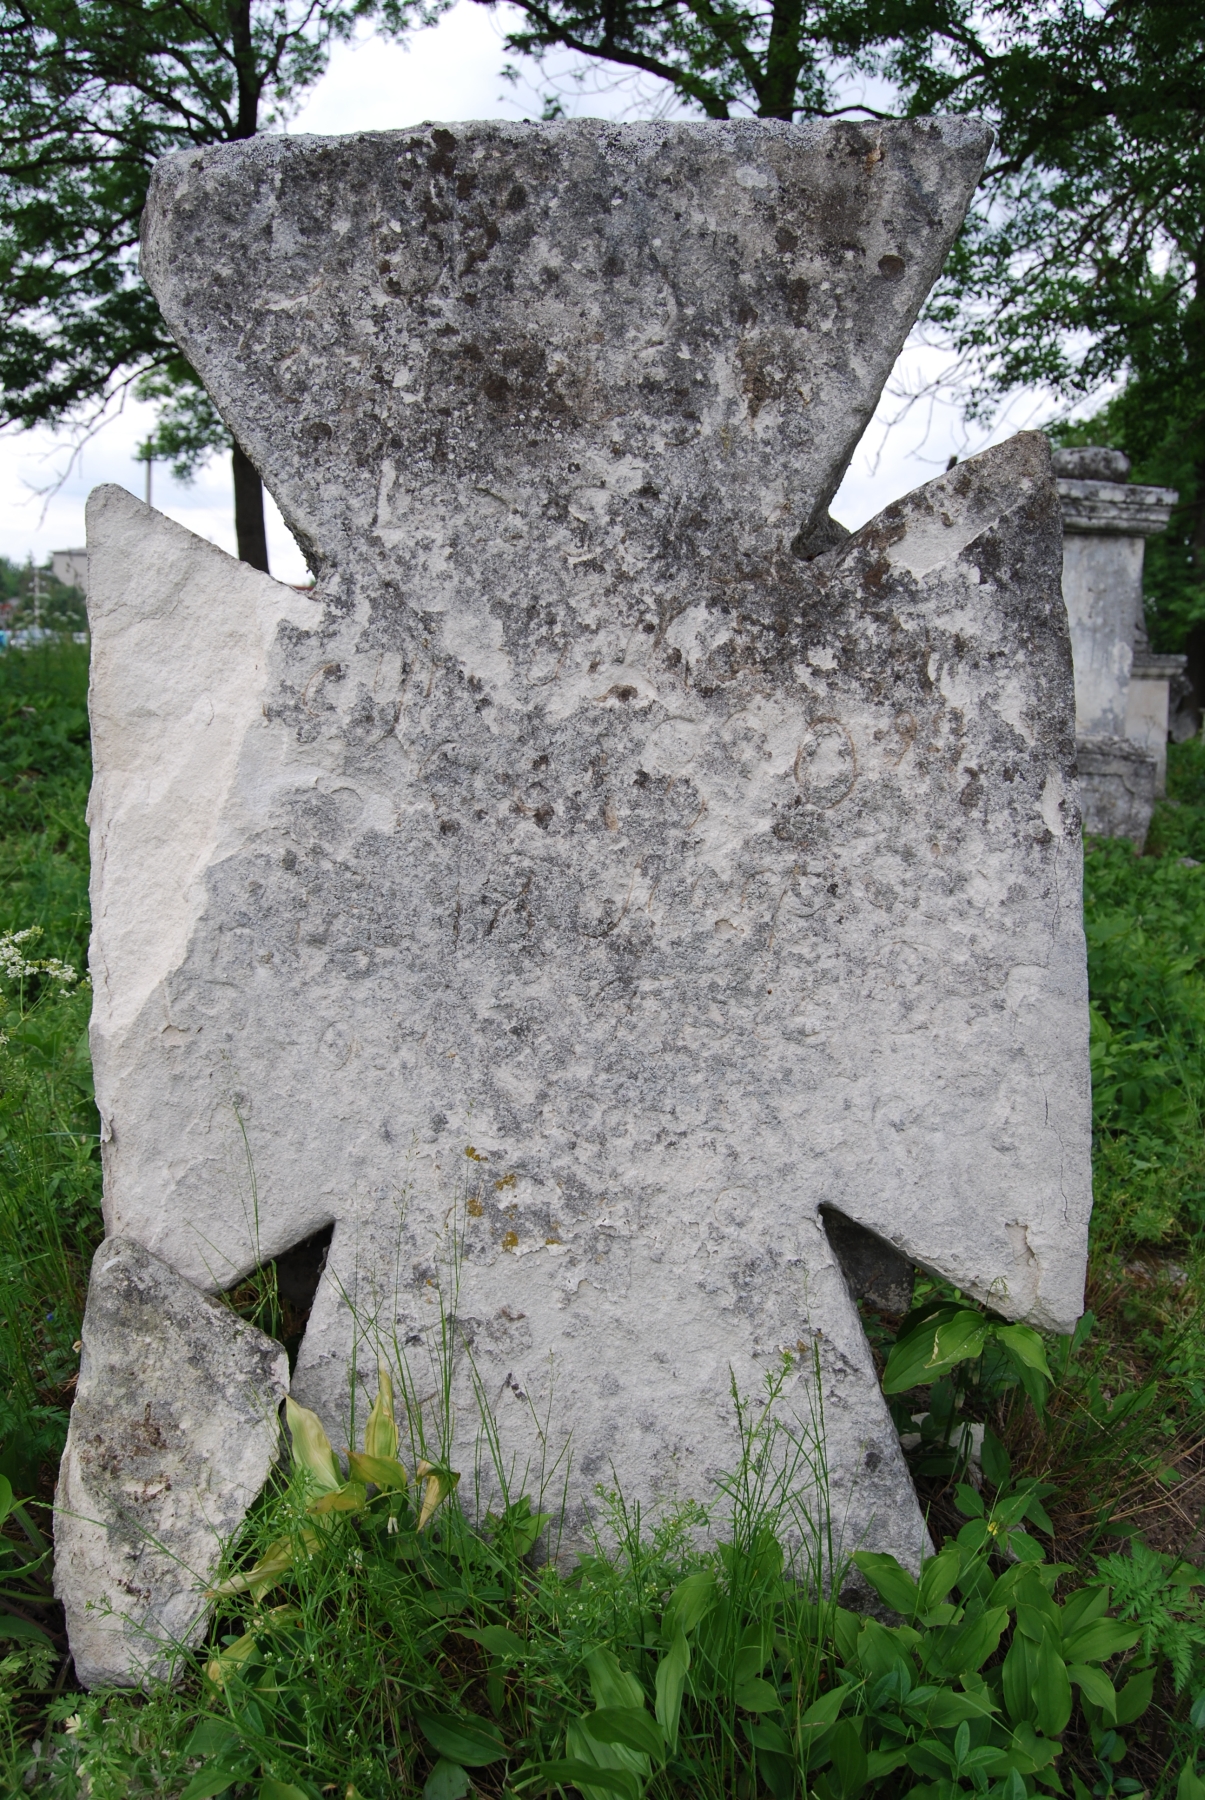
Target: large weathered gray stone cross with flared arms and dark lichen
[{"x": 608, "y": 872}]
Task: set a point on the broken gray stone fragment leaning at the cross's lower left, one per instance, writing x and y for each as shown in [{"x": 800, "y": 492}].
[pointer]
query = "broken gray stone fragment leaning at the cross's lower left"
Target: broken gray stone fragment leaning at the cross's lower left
[{"x": 172, "y": 1437}]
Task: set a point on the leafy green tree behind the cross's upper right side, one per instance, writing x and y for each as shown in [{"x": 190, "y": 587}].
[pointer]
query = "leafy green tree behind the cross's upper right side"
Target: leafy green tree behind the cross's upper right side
[{"x": 1083, "y": 258}]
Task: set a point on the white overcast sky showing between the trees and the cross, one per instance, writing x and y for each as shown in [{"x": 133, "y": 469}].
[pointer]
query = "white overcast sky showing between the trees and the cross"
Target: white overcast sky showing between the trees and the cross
[{"x": 444, "y": 75}]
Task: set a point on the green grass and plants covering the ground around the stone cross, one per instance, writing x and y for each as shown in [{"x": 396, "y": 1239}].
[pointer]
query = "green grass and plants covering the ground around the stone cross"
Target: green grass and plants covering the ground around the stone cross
[{"x": 394, "y": 1660}]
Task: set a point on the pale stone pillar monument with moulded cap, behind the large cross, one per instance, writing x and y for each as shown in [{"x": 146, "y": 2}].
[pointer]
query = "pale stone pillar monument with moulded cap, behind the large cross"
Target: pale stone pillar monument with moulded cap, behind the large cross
[{"x": 1121, "y": 692}]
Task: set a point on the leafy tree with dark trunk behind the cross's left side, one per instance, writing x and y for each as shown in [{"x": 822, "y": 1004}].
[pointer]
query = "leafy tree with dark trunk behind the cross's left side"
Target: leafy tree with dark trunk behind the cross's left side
[{"x": 93, "y": 93}]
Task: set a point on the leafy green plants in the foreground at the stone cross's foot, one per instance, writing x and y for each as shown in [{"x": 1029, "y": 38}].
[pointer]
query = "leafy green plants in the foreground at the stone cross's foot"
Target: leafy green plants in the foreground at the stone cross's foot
[{"x": 372, "y": 1642}]
